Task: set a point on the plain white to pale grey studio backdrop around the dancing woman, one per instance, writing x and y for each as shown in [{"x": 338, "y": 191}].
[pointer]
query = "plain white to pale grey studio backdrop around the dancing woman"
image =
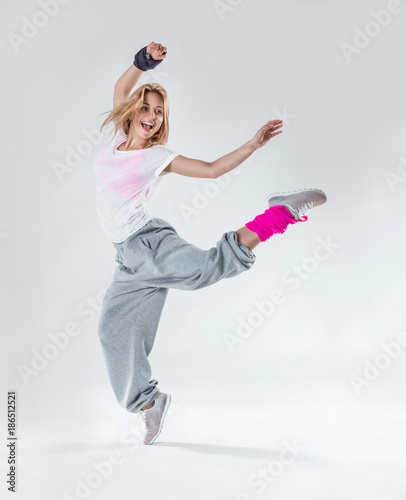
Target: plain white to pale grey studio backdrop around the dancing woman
[{"x": 327, "y": 365}]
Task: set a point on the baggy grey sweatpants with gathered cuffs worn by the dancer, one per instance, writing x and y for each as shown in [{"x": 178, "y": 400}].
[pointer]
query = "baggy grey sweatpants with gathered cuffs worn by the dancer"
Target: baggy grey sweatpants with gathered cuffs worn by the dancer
[{"x": 150, "y": 261}]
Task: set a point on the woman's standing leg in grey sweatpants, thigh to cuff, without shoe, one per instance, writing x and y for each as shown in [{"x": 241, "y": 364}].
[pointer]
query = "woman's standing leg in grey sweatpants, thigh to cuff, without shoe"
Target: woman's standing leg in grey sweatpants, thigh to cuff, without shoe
[{"x": 127, "y": 328}]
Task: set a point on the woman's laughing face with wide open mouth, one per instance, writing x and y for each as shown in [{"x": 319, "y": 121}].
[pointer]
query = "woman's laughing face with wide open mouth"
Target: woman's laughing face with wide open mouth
[{"x": 151, "y": 113}]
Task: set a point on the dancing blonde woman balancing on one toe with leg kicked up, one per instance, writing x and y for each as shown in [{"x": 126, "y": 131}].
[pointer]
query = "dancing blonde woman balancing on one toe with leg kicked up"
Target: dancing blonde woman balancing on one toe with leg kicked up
[{"x": 151, "y": 256}]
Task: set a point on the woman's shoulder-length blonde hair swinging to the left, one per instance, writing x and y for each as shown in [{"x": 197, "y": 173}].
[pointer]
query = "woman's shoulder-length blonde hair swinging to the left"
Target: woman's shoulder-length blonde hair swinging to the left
[{"x": 122, "y": 115}]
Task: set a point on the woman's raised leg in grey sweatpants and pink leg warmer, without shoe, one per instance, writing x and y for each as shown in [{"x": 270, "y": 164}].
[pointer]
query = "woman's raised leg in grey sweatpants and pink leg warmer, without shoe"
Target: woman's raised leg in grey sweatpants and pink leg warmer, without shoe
[{"x": 161, "y": 258}]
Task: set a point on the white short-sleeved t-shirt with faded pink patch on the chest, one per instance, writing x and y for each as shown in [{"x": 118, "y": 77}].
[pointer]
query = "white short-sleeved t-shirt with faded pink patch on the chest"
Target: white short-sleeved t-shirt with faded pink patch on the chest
[{"x": 125, "y": 180}]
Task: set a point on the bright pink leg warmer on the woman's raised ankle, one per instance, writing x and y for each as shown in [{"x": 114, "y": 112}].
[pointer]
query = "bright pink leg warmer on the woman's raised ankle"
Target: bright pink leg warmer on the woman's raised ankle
[{"x": 274, "y": 220}]
